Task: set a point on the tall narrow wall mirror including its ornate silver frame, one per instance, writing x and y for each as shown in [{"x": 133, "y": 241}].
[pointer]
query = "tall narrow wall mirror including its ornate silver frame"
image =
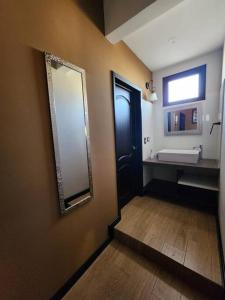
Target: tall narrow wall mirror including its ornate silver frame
[{"x": 69, "y": 115}]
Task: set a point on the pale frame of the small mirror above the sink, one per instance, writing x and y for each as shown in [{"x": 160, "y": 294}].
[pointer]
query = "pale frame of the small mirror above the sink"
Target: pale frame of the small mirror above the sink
[{"x": 197, "y": 131}]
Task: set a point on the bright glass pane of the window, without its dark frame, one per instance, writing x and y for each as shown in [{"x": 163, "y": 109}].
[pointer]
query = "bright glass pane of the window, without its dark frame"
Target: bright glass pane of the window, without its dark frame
[{"x": 184, "y": 88}]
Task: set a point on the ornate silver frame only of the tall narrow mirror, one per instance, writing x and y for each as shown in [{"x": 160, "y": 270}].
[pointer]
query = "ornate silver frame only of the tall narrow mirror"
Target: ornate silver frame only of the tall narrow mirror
[{"x": 87, "y": 197}]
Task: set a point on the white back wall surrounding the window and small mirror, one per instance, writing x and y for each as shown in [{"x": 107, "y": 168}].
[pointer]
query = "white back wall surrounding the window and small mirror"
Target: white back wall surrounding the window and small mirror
[{"x": 211, "y": 147}]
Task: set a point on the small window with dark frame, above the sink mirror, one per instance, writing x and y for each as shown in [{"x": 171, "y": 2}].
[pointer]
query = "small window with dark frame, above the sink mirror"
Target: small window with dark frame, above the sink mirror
[{"x": 184, "y": 87}]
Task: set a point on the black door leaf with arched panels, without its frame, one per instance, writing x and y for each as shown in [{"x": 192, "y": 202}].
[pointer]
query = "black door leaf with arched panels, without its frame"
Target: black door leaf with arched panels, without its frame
[{"x": 125, "y": 144}]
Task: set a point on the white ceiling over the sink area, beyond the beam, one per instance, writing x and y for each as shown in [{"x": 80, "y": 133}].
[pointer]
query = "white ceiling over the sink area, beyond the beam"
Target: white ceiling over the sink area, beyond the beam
[{"x": 189, "y": 29}]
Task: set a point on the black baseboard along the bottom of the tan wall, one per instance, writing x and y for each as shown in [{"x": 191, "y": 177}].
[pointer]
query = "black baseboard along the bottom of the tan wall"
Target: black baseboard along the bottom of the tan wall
[{"x": 76, "y": 276}]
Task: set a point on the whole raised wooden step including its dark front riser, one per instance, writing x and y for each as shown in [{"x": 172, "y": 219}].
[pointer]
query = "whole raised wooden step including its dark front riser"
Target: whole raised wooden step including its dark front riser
[{"x": 179, "y": 238}]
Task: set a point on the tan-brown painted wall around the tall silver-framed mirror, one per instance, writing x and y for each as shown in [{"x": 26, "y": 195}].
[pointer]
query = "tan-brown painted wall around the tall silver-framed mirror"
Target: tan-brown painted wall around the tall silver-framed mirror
[{"x": 39, "y": 248}]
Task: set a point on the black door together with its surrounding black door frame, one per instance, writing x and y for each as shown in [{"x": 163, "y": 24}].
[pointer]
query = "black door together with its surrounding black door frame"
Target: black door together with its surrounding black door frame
[{"x": 128, "y": 141}]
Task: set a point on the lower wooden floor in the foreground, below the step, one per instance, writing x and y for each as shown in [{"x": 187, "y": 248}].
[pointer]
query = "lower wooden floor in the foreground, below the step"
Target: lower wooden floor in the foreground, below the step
[{"x": 121, "y": 274}]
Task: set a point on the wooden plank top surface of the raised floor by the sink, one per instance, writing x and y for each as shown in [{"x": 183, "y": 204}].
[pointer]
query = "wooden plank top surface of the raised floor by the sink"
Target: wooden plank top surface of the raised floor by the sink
[{"x": 184, "y": 234}]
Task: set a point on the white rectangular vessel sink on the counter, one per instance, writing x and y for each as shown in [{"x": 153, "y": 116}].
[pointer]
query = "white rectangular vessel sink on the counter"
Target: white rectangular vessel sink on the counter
[{"x": 182, "y": 156}]
